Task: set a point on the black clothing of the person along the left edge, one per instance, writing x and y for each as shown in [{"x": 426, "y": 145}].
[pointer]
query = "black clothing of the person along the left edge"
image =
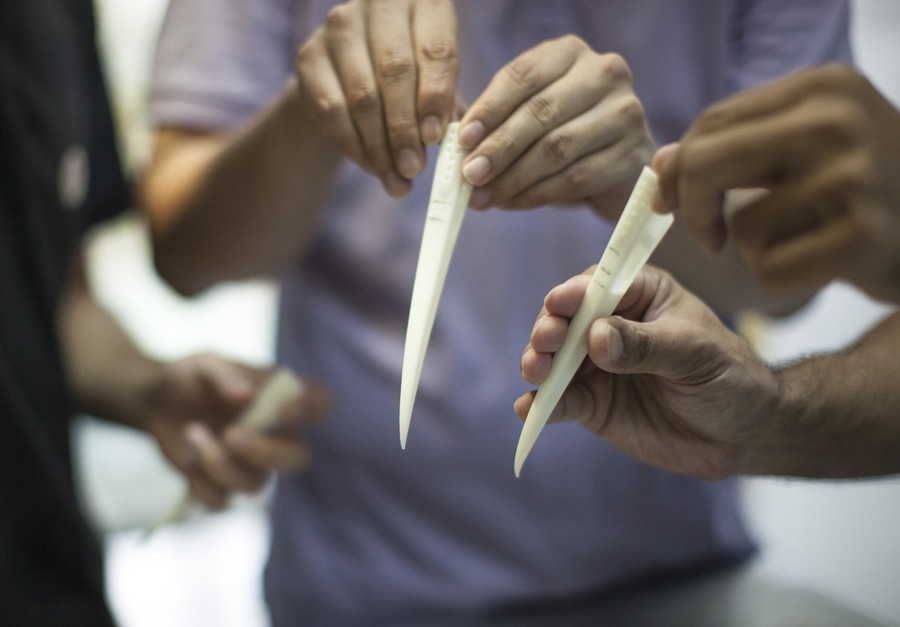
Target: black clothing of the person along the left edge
[{"x": 59, "y": 173}]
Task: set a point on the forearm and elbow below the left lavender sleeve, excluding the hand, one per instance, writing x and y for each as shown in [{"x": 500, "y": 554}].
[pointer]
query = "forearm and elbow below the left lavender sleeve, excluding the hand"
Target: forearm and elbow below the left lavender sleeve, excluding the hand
[{"x": 237, "y": 206}]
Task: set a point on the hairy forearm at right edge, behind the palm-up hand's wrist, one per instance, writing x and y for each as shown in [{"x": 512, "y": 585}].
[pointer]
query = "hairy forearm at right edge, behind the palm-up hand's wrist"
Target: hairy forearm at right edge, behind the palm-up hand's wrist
[{"x": 837, "y": 415}]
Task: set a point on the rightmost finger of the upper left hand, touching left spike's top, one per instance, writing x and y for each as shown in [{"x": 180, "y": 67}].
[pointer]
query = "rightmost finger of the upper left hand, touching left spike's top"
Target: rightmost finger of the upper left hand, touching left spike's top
[{"x": 435, "y": 40}]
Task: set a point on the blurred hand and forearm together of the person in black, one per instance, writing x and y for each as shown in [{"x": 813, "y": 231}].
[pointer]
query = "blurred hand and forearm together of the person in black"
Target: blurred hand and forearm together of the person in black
[{"x": 188, "y": 405}]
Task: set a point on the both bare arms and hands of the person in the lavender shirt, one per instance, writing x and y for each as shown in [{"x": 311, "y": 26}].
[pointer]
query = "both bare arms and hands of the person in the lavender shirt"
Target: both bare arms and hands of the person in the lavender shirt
[{"x": 369, "y": 91}]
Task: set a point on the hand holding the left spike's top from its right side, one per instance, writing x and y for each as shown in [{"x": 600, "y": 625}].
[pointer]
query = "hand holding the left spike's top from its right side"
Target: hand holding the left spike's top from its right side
[{"x": 559, "y": 124}]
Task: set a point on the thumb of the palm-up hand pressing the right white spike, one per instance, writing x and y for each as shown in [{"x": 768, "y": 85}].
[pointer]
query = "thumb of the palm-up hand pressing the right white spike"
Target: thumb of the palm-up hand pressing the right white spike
[{"x": 622, "y": 346}]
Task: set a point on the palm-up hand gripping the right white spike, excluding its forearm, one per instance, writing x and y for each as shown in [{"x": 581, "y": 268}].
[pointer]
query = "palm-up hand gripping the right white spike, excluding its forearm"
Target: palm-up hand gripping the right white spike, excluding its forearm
[{"x": 665, "y": 382}]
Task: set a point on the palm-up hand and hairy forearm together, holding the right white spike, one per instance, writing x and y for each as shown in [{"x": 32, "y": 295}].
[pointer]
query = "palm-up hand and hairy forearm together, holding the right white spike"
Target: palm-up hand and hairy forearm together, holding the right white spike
[{"x": 672, "y": 387}]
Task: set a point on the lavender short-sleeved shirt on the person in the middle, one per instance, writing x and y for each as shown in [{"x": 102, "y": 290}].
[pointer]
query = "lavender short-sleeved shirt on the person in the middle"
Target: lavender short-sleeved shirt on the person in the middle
[{"x": 373, "y": 533}]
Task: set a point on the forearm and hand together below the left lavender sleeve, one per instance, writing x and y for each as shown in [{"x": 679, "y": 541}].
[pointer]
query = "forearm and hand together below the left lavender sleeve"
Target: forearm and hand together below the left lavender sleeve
[{"x": 373, "y": 84}]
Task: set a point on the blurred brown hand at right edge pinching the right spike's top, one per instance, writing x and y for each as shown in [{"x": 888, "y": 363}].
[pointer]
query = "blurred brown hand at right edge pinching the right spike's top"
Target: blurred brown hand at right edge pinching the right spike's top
[{"x": 824, "y": 144}]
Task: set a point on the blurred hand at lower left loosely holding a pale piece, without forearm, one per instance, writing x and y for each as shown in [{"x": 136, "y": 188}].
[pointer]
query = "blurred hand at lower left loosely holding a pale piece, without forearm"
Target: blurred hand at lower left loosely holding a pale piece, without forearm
[{"x": 192, "y": 412}]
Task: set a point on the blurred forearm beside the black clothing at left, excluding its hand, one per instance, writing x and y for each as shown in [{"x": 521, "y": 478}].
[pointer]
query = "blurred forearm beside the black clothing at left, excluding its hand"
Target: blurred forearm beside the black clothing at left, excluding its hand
[{"x": 109, "y": 376}]
